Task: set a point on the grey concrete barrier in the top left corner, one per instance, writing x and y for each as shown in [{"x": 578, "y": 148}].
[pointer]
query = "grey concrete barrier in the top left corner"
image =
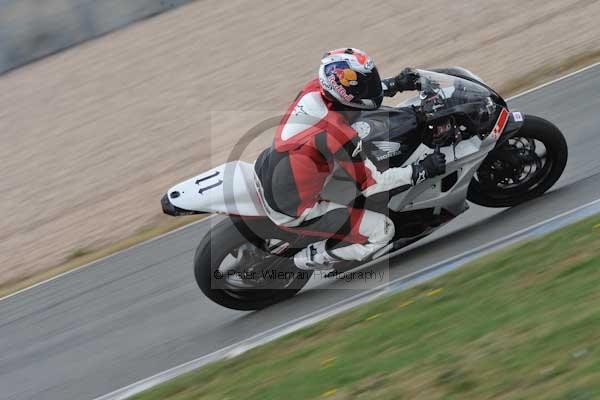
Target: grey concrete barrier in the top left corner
[{"x": 31, "y": 29}]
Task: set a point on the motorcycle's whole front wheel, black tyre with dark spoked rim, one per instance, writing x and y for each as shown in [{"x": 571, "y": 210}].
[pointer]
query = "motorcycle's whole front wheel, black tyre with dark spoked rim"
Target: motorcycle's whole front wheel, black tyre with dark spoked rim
[{"x": 522, "y": 168}]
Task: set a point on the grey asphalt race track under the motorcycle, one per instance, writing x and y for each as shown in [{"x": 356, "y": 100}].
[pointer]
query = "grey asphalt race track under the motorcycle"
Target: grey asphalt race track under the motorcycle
[{"x": 139, "y": 312}]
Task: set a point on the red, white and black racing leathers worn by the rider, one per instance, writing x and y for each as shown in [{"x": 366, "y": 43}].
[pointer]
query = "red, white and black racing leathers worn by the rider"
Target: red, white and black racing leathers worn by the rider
[{"x": 311, "y": 137}]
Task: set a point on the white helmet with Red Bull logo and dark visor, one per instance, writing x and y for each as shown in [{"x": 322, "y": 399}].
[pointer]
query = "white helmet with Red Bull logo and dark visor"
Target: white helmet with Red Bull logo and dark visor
[{"x": 349, "y": 76}]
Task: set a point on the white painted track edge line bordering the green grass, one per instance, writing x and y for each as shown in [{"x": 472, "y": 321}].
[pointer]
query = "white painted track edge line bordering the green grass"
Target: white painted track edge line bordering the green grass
[{"x": 395, "y": 285}]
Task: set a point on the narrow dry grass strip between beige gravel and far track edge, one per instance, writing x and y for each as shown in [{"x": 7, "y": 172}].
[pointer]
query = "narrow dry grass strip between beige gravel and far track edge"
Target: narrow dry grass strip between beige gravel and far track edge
[{"x": 84, "y": 256}]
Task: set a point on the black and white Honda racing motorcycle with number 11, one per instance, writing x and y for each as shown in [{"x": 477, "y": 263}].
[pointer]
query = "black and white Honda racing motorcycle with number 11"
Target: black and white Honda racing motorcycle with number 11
[{"x": 495, "y": 158}]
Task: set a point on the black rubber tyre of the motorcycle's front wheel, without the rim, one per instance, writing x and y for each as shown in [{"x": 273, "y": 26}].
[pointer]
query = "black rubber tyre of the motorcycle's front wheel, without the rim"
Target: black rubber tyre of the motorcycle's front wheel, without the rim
[{"x": 550, "y": 136}]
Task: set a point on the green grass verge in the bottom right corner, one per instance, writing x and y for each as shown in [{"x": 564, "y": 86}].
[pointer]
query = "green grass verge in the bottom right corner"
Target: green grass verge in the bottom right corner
[{"x": 523, "y": 323}]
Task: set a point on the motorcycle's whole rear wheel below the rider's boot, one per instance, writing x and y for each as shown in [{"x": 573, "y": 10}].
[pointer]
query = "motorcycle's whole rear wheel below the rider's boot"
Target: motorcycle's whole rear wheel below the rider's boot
[{"x": 236, "y": 274}]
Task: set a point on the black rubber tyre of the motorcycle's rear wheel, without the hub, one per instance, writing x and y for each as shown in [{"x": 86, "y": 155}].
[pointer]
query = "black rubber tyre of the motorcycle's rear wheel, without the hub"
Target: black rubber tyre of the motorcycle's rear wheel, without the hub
[{"x": 214, "y": 249}]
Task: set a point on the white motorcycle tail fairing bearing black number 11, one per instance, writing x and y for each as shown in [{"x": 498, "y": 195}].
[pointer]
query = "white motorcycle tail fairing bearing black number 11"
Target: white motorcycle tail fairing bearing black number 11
[{"x": 226, "y": 189}]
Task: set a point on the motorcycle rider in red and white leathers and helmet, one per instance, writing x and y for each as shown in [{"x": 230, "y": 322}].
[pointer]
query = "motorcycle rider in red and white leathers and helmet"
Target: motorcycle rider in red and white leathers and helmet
[{"x": 316, "y": 132}]
